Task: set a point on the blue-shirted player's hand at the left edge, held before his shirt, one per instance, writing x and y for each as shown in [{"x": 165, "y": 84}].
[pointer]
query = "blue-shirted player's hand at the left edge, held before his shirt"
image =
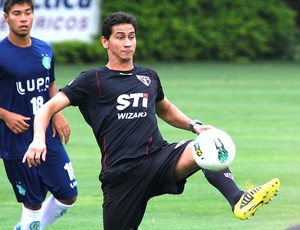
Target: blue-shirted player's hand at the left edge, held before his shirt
[{"x": 16, "y": 122}]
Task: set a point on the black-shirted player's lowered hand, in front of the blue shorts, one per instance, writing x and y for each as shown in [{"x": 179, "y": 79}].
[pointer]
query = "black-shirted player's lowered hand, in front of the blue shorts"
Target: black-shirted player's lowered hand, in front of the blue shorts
[{"x": 36, "y": 152}]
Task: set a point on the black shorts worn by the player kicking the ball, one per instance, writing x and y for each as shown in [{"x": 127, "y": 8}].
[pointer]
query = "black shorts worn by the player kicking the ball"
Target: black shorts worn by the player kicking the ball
[{"x": 128, "y": 186}]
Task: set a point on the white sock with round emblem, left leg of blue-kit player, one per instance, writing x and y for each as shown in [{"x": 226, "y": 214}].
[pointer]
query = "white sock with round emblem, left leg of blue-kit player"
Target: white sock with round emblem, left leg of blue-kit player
[{"x": 31, "y": 219}]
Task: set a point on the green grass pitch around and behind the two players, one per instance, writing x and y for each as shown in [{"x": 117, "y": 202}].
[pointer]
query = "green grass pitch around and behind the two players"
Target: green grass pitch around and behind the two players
[{"x": 257, "y": 104}]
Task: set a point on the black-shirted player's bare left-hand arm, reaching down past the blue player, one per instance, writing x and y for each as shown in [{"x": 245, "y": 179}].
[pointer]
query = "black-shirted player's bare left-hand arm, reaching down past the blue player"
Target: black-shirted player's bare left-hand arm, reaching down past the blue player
[{"x": 37, "y": 149}]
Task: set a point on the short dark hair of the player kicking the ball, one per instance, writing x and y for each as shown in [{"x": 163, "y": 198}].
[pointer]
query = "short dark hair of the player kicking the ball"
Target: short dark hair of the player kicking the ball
[{"x": 116, "y": 19}]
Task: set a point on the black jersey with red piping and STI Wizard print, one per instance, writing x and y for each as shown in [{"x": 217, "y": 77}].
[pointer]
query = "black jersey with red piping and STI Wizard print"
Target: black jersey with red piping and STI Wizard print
[{"x": 120, "y": 108}]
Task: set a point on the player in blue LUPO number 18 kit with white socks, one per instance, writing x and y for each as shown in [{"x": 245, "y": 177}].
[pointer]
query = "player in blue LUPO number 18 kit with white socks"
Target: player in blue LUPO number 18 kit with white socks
[{"x": 26, "y": 83}]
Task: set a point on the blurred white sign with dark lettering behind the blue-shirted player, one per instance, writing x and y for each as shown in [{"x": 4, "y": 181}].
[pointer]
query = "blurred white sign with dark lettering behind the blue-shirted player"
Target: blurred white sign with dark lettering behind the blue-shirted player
[{"x": 60, "y": 20}]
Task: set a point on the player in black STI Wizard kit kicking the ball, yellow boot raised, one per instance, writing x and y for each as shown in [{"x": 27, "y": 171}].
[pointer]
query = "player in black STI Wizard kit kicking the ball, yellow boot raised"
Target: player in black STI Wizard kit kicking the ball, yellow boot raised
[{"x": 120, "y": 102}]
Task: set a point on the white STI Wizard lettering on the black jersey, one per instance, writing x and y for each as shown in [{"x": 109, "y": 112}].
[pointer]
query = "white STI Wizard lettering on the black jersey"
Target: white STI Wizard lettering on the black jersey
[{"x": 134, "y": 100}]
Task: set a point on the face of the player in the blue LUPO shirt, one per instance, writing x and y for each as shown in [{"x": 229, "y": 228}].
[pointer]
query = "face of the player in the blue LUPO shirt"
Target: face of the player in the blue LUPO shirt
[{"x": 19, "y": 19}]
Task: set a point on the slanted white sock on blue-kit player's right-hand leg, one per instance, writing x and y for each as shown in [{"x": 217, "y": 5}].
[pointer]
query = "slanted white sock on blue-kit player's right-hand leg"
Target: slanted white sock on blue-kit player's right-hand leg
[{"x": 52, "y": 210}]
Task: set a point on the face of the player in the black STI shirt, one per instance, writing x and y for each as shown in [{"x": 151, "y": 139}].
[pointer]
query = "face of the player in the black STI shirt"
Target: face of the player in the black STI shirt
[{"x": 122, "y": 43}]
